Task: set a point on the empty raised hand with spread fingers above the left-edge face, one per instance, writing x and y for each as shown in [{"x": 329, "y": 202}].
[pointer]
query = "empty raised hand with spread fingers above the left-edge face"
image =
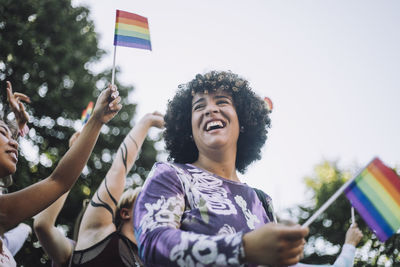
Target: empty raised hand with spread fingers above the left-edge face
[{"x": 15, "y": 101}]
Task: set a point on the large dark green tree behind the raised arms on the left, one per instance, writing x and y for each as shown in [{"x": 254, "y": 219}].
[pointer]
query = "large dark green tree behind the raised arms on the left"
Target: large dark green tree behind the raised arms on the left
[{"x": 46, "y": 50}]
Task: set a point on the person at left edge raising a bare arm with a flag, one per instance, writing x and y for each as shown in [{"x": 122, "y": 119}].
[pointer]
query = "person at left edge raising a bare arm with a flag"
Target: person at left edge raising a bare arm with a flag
[{"x": 18, "y": 206}]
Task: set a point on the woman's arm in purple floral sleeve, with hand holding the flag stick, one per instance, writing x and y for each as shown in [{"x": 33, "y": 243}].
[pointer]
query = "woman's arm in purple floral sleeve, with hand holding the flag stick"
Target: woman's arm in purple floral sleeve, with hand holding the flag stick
[{"x": 157, "y": 221}]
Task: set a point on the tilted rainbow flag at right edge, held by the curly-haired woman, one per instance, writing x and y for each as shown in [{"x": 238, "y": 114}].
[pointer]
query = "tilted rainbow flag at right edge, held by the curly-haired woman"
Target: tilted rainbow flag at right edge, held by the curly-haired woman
[{"x": 375, "y": 194}]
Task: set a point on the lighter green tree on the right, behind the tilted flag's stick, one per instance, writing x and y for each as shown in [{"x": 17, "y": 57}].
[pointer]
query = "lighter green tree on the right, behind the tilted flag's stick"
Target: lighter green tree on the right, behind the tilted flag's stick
[{"x": 328, "y": 231}]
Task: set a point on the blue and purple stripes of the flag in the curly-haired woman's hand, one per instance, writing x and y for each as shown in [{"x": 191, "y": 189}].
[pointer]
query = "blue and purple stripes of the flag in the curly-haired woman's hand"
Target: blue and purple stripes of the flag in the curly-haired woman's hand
[{"x": 368, "y": 212}]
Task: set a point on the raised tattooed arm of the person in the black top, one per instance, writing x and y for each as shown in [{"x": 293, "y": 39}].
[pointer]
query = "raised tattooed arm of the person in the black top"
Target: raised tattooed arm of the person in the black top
[{"x": 100, "y": 213}]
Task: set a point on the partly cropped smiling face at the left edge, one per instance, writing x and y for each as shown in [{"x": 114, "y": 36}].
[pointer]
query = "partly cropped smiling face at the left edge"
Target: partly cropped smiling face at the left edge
[{"x": 8, "y": 151}]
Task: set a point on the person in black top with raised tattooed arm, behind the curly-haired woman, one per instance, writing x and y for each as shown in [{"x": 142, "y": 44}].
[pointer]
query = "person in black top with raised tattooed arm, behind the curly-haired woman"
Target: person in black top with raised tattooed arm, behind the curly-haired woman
[{"x": 105, "y": 236}]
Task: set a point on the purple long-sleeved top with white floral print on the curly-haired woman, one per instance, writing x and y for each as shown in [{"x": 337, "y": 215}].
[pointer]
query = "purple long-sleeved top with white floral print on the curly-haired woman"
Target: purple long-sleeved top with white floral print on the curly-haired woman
[{"x": 186, "y": 216}]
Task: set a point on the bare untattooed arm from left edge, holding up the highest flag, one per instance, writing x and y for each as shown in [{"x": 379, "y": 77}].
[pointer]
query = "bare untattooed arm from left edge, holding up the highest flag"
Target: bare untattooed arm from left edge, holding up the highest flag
[{"x": 17, "y": 206}]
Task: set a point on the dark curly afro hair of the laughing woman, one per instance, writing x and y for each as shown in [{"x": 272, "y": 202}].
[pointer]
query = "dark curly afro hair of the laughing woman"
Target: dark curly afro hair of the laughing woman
[{"x": 251, "y": 110}]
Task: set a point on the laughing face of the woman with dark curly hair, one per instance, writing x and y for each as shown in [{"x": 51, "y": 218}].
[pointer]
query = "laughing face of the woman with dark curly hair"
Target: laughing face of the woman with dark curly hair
[{"x": 215, "y": 124}]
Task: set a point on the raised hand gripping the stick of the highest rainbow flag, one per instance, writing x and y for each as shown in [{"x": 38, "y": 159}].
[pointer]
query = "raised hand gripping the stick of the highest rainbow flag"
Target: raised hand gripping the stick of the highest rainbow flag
[{"x": 107, "y": 105}]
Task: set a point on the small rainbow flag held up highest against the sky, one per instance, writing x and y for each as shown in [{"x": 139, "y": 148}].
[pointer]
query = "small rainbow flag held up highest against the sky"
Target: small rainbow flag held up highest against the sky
[{"x": 131, "y": 30}]
